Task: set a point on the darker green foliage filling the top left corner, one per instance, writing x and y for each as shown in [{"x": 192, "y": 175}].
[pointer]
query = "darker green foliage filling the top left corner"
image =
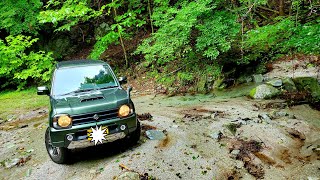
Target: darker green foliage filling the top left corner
[{"x": 19, "y": 16}]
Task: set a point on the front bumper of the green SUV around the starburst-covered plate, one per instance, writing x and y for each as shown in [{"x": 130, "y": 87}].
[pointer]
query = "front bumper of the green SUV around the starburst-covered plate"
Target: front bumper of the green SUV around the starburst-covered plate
[{"x": 79, "y": 132}]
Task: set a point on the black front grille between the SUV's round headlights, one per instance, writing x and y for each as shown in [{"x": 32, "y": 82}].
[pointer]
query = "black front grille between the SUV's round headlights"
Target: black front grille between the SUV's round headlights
[{"x": 89, "y": 118}]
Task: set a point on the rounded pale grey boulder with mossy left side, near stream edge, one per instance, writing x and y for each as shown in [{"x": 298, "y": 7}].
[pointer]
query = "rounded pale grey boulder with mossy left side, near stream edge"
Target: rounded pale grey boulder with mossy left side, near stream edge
[{"x": 264, "y": 91}]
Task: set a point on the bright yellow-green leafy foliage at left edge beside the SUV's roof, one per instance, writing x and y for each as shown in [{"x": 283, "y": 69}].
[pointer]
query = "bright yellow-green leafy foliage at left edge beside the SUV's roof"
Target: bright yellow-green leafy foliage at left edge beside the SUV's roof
[{"x": 19, "y": 66}]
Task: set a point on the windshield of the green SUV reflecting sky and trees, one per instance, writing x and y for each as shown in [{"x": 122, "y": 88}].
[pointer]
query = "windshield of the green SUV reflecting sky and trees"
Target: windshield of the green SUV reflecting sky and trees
[{"x": 80, "y": 79}]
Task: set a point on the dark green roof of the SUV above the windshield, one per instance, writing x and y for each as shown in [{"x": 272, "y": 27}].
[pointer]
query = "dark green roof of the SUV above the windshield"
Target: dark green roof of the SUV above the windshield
[{"x": 75, "y": 63}]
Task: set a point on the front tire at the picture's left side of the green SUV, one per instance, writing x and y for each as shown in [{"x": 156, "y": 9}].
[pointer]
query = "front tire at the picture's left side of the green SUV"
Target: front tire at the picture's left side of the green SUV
[{"x": 57, "y": 154}]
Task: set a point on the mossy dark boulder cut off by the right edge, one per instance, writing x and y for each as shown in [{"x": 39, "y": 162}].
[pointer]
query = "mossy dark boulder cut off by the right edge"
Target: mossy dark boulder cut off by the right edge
[{"x": 310, "y": 85}]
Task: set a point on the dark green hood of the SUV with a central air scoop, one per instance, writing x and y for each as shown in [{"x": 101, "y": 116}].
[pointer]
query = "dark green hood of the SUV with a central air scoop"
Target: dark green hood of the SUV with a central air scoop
[{"x": 88, "y": 102}]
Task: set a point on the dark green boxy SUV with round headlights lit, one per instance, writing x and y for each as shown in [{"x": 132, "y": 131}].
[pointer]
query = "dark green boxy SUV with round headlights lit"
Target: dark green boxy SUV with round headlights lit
[{"x": 88, "y": 106}]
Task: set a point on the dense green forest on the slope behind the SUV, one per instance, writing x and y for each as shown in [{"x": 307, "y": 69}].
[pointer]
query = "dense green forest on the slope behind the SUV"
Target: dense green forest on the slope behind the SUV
[{"x": 197, "y": 44}]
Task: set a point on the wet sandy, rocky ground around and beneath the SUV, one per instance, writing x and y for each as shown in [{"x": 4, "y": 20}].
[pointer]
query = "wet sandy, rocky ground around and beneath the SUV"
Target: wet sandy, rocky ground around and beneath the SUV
[{"x": 207, "y": 137}]
